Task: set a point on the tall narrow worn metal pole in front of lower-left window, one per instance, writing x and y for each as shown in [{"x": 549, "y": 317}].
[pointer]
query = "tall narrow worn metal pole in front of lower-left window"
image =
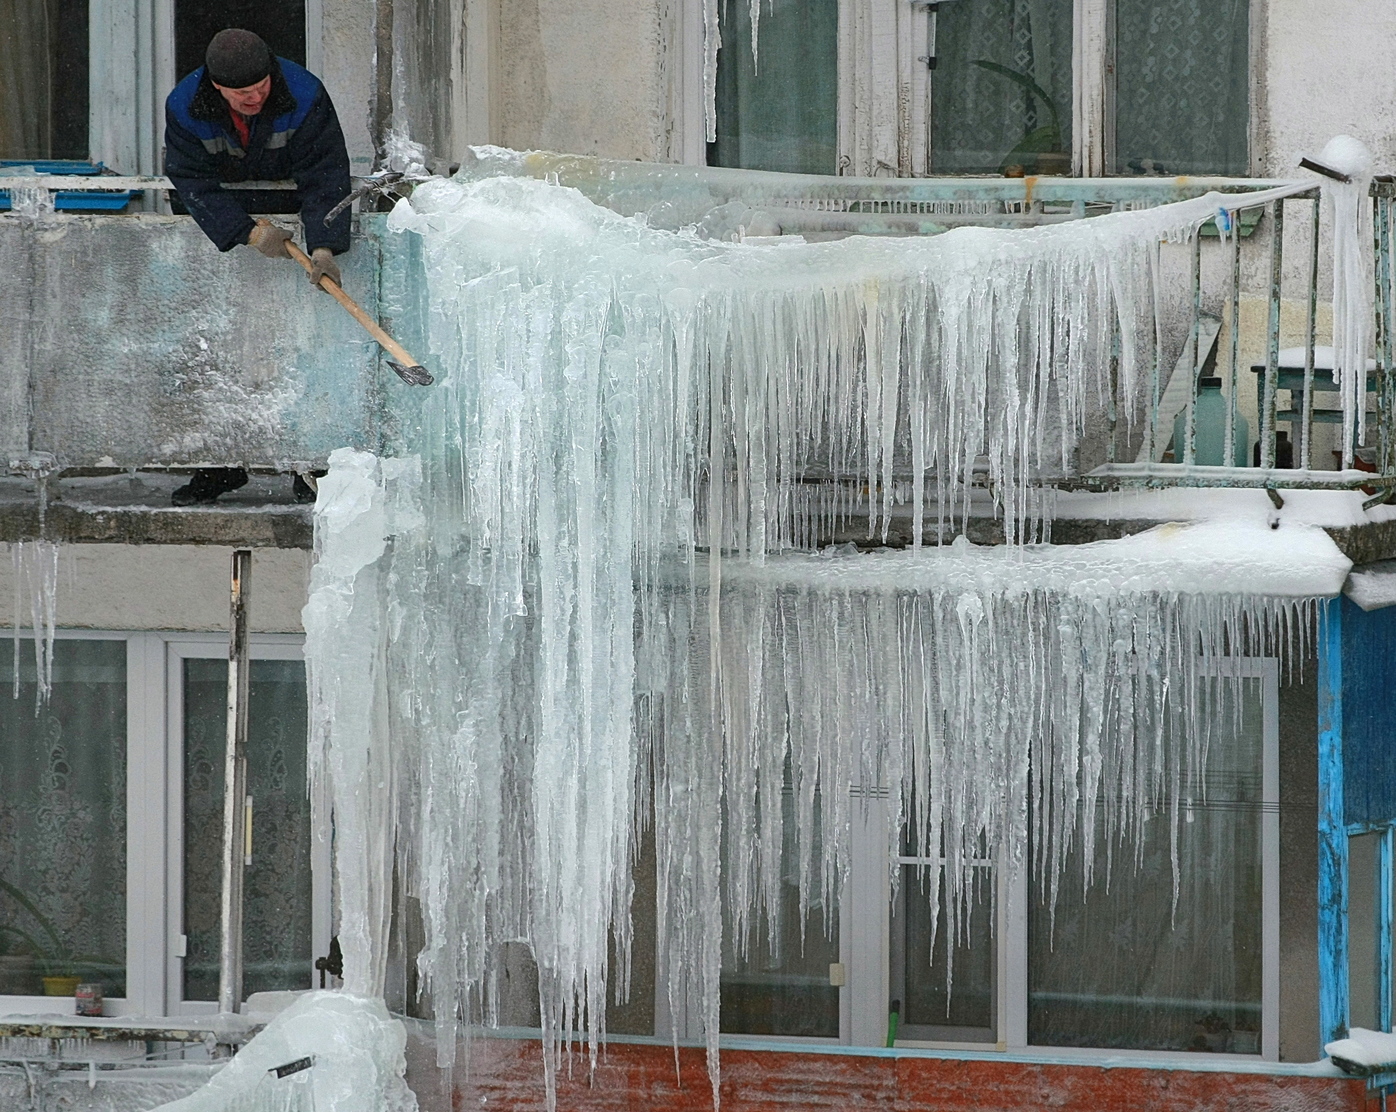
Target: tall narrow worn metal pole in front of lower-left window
[{"x": 235, "y": 790}]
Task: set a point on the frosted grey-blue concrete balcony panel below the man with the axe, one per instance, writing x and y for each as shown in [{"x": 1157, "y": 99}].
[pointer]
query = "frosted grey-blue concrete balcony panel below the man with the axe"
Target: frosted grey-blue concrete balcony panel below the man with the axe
[{"x": 135, "y": 343}]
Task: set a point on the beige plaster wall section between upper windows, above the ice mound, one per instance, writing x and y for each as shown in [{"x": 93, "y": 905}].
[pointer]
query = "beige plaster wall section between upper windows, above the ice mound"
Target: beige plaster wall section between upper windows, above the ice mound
[{"x": 583, "y": 76}]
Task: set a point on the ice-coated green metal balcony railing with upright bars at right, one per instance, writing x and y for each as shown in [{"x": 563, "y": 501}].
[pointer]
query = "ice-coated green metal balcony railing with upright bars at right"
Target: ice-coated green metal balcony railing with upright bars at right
[{"x": 745, "y": 203}]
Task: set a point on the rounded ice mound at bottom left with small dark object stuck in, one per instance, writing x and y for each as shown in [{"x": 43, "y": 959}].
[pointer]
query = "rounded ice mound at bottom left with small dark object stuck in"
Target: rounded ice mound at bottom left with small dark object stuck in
[{"x": 357, "y": 1057}]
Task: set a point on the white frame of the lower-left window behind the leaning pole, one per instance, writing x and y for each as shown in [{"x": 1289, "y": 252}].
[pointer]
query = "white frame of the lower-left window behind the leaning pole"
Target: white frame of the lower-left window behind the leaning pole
[{"x": 154, "y": 824}]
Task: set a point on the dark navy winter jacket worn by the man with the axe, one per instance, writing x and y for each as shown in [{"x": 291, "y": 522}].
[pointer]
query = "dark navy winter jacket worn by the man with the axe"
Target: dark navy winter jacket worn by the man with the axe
[{"x": 297, "y": 136}]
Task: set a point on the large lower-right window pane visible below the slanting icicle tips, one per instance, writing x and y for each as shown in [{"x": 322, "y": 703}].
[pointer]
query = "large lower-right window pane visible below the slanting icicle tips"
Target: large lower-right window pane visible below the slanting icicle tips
[{"x": 1120, "y": 968}]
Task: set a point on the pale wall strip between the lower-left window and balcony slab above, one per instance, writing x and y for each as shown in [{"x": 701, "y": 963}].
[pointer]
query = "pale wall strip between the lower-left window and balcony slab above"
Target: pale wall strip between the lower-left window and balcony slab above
[{"x": 165, "y": 587}]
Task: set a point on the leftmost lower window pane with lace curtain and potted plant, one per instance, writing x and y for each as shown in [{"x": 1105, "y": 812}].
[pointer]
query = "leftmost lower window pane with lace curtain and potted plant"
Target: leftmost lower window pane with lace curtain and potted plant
[{"x": 64, "y": 821}]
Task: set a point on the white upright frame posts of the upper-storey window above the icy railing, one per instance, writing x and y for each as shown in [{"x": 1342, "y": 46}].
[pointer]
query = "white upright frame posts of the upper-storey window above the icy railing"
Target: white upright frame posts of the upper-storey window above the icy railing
[{"x": 886, "y": 98}]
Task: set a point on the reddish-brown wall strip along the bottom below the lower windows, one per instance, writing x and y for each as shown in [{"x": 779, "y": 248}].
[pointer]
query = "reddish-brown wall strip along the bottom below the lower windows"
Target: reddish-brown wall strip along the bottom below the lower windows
[{"x": 506, "y": 1076}]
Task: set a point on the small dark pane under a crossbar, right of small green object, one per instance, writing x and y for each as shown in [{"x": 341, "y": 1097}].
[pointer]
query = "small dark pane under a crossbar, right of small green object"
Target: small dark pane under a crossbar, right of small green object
[{"x": 946, "y": 1000}]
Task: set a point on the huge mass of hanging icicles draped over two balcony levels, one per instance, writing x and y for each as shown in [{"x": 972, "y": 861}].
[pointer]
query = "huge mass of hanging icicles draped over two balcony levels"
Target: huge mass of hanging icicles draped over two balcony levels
[{"x": 586, "y": 592}]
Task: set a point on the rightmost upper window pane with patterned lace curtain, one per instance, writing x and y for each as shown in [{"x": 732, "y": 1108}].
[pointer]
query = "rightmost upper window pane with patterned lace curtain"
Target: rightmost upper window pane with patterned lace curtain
[{"x": 1182, "y": 87}]
